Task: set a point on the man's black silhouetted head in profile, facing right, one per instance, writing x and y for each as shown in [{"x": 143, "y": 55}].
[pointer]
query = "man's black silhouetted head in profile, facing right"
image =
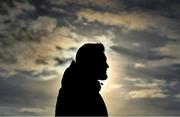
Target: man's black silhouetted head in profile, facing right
[{"x": 91, "y": 58}]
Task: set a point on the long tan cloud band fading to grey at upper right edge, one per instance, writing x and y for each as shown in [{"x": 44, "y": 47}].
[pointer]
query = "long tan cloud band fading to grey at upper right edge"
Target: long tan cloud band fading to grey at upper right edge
[{"x": 134, "y": 20}]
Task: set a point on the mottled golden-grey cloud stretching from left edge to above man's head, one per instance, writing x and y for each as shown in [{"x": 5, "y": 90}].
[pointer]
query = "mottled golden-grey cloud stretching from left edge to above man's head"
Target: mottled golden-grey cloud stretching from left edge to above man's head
[{"x": 39, "y": 41}]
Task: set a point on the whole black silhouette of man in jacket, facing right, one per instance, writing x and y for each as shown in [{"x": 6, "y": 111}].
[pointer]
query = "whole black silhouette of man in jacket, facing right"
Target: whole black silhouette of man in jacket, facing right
[{"x": 79, "y": 93}]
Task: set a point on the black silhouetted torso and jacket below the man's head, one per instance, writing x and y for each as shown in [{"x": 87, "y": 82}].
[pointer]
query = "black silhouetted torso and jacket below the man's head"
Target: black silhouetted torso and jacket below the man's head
[{"x": 79, "y": 94}]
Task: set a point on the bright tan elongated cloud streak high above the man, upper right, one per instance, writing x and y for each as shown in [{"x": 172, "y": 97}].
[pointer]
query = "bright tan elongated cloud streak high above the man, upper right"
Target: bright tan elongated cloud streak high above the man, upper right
[{"x": 118, "y": 19}]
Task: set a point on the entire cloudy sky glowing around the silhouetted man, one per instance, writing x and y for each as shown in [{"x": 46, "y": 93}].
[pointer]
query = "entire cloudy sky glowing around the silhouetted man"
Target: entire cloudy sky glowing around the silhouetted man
[{"x": 39, "y": 38}]
